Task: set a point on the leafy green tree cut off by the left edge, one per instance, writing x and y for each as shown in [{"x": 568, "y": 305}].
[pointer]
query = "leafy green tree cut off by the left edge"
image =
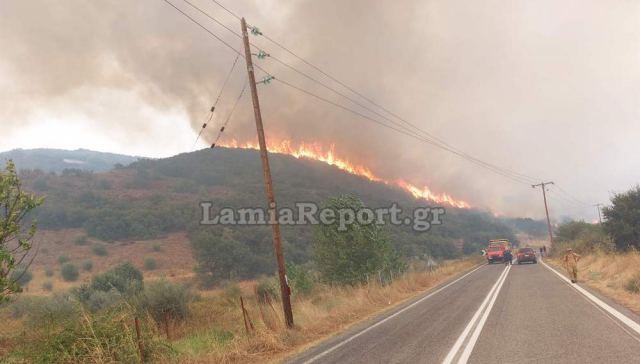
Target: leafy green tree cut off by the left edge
[{"x": 15, "y": 232}]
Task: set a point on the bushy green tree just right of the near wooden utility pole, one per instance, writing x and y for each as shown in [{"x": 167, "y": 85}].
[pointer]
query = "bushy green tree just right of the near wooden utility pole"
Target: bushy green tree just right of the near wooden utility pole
[{"x": 350, "y": 256}]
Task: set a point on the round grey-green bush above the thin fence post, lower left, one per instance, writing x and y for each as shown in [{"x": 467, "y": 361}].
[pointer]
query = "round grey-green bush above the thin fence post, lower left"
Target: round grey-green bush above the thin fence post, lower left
[{"x": 164, "y": 299}]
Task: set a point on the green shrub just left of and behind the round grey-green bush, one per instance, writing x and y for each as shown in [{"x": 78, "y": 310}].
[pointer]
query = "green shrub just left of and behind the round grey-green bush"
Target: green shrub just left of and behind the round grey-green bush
[{"x": 125, "y": 278}]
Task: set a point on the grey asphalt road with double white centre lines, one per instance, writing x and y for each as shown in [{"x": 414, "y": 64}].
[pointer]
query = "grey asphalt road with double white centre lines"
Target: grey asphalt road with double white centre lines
[{"x": 520, "y": 314}]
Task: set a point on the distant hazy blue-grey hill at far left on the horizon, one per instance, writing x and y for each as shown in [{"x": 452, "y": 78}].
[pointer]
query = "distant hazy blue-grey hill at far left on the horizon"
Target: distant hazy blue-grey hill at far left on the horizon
[{"x": 56, "y": 160}]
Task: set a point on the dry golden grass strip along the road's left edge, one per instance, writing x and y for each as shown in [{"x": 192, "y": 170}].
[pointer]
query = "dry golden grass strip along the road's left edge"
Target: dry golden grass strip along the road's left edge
[{"x": 325, "y": 312}]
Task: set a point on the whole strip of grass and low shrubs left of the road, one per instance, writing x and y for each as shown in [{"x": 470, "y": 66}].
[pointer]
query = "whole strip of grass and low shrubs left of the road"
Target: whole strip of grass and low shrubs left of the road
[{"x": 96, "y": 322}]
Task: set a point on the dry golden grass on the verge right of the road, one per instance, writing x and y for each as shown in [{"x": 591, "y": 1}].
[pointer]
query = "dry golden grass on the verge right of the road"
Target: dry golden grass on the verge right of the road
[{"x": 609, "y": 274}]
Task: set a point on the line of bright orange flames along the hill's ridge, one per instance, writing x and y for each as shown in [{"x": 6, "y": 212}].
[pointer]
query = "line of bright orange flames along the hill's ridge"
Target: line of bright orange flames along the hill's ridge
[{"x": 316, "y": 151}]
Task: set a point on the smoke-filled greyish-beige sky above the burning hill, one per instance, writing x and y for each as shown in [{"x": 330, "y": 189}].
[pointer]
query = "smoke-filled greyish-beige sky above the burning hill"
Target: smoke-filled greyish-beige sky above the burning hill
[{"x": 547, "y": 89}]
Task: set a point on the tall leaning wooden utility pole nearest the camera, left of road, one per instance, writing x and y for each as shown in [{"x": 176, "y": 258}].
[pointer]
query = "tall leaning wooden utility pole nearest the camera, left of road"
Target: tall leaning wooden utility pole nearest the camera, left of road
[{"x": 275, "y": 226}]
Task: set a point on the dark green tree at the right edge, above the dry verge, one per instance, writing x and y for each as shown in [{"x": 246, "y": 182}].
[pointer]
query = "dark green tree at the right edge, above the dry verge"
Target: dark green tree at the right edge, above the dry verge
[{"x": 622, "y": 219}]
